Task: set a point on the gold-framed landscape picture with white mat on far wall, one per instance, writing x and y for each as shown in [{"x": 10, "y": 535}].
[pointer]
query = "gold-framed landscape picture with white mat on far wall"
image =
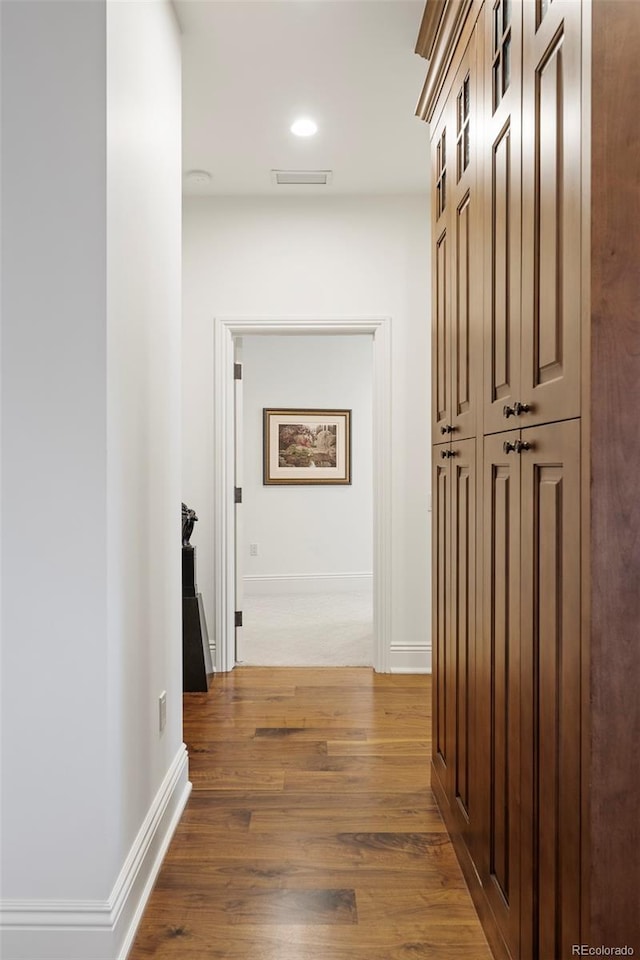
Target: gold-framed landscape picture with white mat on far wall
[{"x": 307, "y": 446}]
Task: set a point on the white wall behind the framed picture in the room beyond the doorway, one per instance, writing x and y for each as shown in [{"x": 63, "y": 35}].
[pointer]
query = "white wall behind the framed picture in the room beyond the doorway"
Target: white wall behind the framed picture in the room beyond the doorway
[{"x": 306, "y": 531}]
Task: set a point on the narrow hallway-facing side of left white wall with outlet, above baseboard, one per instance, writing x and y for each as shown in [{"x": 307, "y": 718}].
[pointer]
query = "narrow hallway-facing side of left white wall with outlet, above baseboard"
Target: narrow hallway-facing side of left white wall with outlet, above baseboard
[{"x": 144, "y": 211}]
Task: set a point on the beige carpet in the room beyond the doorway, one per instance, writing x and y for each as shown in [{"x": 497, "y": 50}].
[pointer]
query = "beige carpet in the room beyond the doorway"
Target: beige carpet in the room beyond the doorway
[{"x": 332, "y": 630}]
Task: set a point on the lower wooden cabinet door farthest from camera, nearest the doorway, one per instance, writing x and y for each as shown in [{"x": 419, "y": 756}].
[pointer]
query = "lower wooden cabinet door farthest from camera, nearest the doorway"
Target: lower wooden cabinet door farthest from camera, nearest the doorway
[{"x": 443, "y": 714}]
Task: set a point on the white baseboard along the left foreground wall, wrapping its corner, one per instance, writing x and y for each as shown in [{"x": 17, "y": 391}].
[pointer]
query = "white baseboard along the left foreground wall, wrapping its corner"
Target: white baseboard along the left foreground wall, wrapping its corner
[{"x": 100, "y": 929}]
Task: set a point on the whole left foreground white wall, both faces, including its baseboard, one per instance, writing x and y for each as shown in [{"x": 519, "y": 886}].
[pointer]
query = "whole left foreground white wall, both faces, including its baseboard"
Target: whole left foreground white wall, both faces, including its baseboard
[{"x": 90, "y": 469}]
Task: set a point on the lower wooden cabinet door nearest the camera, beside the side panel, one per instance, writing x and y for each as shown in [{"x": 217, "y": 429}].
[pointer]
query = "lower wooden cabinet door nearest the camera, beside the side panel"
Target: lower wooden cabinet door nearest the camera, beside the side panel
[{"x": 551, "y": 666}]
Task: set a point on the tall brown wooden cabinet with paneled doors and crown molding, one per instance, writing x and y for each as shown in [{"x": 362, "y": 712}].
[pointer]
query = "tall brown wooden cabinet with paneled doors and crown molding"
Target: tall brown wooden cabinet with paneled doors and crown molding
[{"x": 534, "y": 113}]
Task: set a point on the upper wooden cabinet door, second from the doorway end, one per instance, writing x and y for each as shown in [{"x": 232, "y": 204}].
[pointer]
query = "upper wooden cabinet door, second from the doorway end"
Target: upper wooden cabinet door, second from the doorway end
[{"x": 466, "y": 245}]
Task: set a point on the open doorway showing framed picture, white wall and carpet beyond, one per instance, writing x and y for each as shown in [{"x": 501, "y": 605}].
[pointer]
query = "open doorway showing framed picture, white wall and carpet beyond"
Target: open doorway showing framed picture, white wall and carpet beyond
[{"x": 304, "y": 547}]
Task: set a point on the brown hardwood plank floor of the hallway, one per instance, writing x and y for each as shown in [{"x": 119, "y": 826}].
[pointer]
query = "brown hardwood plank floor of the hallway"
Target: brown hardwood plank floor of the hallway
[{"x": 311, "y": 832}]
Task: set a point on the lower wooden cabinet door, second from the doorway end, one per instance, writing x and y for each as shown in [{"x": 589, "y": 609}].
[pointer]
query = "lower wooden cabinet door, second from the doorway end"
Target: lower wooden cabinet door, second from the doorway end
[{"x": 463, "y": 633}]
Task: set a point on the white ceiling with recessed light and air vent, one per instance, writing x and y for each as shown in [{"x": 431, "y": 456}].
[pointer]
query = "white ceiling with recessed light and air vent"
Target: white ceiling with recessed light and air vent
[{"x": 250, "y": 67}]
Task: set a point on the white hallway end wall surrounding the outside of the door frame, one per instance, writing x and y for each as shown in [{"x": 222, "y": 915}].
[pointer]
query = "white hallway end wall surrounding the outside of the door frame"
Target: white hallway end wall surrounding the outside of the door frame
[{"x": 322, "y": 257}]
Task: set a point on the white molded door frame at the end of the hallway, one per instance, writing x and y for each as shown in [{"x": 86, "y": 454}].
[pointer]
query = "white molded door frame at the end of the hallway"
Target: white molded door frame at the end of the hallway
[{"x": 225, "y": 330}]
